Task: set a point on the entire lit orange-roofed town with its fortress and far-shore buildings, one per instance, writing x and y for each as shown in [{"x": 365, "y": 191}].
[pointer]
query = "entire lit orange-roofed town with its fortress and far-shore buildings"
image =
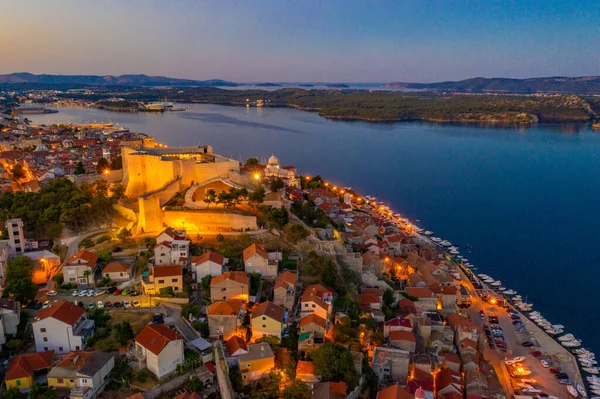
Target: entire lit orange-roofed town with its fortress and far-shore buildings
[{"x": 132, "y": 269}]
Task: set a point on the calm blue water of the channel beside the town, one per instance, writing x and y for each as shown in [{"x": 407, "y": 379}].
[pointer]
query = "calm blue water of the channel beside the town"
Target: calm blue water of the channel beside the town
[{"x": 522, "y": 205}]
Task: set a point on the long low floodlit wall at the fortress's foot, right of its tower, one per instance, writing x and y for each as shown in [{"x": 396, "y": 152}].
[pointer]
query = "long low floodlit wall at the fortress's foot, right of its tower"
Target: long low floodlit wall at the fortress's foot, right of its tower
[{"x": 209, "y": 221}]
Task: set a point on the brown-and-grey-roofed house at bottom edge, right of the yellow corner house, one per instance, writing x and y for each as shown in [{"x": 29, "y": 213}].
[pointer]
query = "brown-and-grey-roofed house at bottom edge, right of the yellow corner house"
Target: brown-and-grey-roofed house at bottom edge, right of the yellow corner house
[{"x": 85, "y": 373}]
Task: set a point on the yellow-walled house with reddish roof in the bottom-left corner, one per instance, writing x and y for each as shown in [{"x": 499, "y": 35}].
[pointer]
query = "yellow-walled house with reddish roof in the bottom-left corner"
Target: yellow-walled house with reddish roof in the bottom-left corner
[{"x": 23, "y": 368}]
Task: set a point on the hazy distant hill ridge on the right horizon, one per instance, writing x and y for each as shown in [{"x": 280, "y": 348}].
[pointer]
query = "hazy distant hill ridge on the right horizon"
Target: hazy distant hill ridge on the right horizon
[{"x": 554, "y": 84}]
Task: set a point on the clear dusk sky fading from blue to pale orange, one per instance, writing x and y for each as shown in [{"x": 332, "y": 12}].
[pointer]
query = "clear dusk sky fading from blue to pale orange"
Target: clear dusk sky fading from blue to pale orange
[{"x": 302, "y": 41}]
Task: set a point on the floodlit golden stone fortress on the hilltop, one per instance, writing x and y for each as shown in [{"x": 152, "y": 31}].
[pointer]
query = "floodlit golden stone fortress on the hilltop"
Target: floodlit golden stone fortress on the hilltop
[{"x": 156, "y": 175}]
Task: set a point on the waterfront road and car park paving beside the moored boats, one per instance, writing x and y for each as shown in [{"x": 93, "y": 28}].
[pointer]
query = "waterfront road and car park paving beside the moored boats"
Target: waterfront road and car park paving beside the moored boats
[{"x": 554, "y": 353}]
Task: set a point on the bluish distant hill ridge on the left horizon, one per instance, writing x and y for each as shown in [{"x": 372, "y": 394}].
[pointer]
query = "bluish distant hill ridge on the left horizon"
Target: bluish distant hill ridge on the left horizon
[{"x": 109, "y": 80}]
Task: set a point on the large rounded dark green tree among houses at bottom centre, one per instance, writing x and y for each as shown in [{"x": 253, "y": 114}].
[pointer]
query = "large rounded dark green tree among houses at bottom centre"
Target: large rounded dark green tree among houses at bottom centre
[{"x": 334, "y": 363}]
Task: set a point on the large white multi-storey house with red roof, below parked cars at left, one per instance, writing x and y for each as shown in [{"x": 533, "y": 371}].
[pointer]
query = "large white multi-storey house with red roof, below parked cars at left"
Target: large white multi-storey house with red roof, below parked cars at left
[{"x": 63, "y": 327}]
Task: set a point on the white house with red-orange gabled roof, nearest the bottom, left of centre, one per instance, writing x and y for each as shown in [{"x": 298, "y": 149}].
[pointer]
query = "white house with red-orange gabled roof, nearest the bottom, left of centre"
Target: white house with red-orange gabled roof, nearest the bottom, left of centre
[{"x": 160, "y": 347}]
